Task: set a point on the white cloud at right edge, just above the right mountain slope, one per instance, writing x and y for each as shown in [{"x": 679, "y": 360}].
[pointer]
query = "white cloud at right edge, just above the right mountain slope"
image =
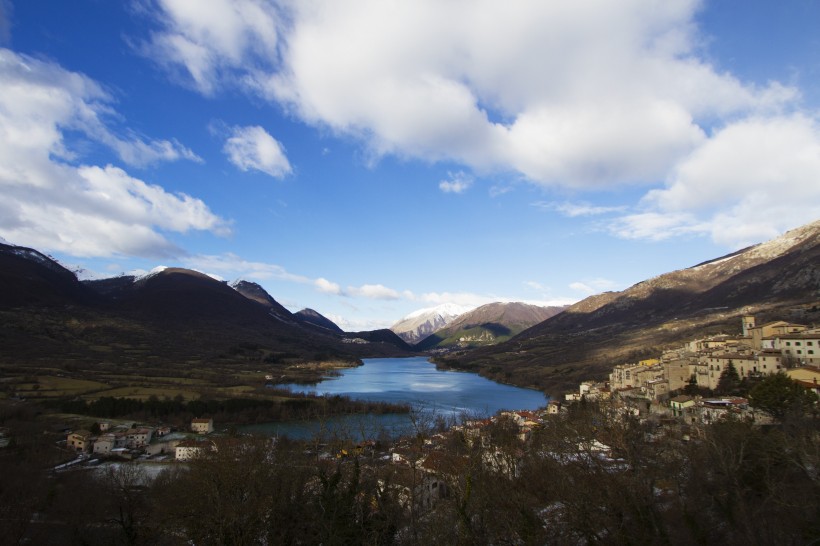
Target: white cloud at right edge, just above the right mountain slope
[{"x": 753, "y": 180}]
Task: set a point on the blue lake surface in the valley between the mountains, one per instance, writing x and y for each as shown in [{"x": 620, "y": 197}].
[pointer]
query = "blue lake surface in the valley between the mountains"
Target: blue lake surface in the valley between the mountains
[{"x": 432, "y": 393}]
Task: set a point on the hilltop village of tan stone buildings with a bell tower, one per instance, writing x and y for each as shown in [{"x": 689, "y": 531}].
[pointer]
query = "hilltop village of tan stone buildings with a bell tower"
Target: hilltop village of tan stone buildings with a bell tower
[{"x": 676, "y": 381}]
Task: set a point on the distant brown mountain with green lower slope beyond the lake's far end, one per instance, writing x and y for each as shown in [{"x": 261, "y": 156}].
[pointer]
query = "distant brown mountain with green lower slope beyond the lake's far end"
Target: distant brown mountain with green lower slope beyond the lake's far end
[{"x": 488, "y": 325}]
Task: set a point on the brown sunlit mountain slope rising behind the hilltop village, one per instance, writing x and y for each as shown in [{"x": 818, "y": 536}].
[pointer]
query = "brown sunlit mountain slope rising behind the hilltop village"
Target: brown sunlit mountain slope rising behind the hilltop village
[{"x": 779, "y": 279}]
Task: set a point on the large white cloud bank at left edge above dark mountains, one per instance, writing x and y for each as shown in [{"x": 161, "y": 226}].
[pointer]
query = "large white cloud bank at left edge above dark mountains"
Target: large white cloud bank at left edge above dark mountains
[{"x": 52, "y": 203}]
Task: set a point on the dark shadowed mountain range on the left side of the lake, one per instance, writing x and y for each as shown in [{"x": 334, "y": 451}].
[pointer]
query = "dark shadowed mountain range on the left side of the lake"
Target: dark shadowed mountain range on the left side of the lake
[{"x": 173, "y": 318}]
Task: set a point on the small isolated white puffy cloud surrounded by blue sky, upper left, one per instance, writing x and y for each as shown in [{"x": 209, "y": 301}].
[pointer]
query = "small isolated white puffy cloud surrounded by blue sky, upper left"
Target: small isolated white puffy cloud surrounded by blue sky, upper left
[{"x": 253, "y": 148}]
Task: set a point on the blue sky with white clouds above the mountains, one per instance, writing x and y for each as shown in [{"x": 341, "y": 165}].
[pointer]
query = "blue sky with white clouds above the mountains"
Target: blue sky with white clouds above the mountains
[{"x": 368, "y": 158}]
